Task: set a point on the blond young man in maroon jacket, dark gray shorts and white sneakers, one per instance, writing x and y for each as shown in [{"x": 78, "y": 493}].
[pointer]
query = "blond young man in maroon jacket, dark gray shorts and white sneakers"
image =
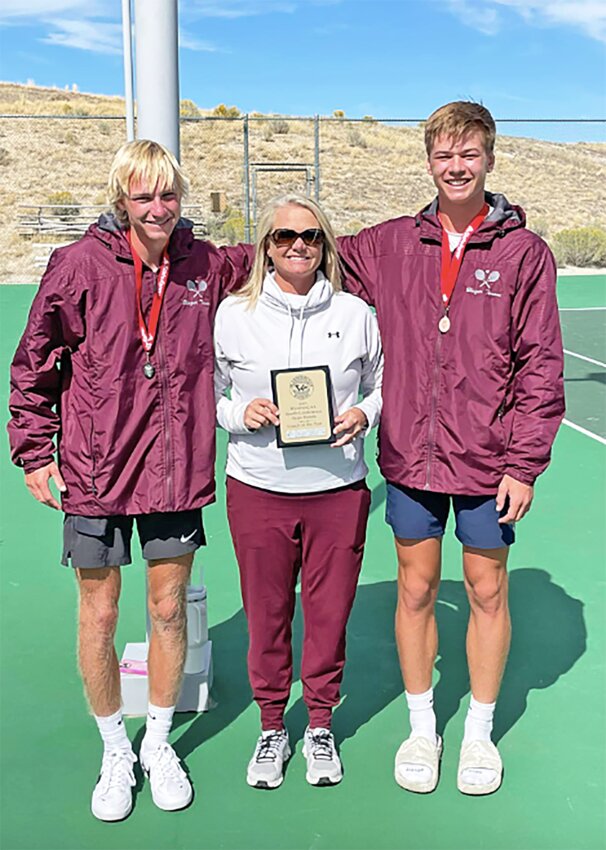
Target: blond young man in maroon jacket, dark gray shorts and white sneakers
[{"x": 127, "y": 313}]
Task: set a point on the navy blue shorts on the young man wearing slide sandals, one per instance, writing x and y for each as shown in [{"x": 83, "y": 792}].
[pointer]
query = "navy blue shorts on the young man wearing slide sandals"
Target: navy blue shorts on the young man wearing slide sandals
[{"x": 419, "y": 514}]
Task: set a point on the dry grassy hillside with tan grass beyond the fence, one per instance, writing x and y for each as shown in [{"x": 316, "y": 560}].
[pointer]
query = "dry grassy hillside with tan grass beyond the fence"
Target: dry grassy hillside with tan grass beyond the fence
[{"x": 369, "y": 171}]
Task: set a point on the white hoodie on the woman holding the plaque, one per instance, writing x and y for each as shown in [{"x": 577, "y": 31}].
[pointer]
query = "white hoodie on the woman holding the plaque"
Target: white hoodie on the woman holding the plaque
[{"x": 323, "y": 327}]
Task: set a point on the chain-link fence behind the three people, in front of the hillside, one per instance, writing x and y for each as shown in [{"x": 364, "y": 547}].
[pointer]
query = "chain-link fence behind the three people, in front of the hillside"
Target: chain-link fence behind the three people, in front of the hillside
[{"x": 364, "y": 171}]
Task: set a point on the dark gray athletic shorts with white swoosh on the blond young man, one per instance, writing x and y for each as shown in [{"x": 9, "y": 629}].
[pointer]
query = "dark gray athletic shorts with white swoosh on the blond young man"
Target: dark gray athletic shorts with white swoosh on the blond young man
[{"x": 90, "y": 542}]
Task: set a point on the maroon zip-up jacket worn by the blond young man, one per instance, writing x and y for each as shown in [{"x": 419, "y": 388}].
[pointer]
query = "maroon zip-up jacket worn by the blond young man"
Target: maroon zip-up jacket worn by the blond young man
[{"x": 126, "y": 444}]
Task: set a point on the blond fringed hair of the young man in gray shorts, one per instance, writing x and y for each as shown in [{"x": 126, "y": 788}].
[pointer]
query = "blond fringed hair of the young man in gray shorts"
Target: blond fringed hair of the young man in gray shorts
[{"x": 146, "y": 162}]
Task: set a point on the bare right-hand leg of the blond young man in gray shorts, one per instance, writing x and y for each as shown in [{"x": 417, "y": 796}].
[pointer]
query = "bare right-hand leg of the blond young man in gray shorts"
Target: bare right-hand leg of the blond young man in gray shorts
[{"x": 167, "y": 583}]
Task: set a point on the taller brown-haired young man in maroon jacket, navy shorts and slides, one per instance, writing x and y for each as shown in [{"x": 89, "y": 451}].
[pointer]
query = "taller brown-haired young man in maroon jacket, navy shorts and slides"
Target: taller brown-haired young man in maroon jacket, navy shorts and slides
[{"x": 473, "y": 397}]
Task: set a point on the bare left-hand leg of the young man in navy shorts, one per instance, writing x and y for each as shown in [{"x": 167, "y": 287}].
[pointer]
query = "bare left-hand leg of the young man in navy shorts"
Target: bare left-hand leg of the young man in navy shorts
[{"x": 419, "y": 564}]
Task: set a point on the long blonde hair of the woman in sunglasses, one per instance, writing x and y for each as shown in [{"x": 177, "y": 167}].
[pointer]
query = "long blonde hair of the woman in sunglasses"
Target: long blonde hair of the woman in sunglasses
[{"x": 330, "y": 264}]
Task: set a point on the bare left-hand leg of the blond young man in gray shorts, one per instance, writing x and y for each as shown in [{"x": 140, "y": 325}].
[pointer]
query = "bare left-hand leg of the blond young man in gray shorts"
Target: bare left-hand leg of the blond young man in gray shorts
[{"x": 98, "y": 615}]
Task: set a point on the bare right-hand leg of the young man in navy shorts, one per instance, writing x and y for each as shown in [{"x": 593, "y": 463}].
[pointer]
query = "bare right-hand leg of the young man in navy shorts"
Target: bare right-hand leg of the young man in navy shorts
[{"x": 489, "y": 630}]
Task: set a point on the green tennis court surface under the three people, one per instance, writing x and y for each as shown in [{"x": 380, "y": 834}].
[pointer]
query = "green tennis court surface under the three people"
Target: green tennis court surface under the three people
[{"x": 550, "y": 717}]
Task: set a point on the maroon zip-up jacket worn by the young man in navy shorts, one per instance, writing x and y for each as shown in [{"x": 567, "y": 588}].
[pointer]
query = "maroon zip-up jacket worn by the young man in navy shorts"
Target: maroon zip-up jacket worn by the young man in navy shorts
[{"x": 463, "y": 408}]
